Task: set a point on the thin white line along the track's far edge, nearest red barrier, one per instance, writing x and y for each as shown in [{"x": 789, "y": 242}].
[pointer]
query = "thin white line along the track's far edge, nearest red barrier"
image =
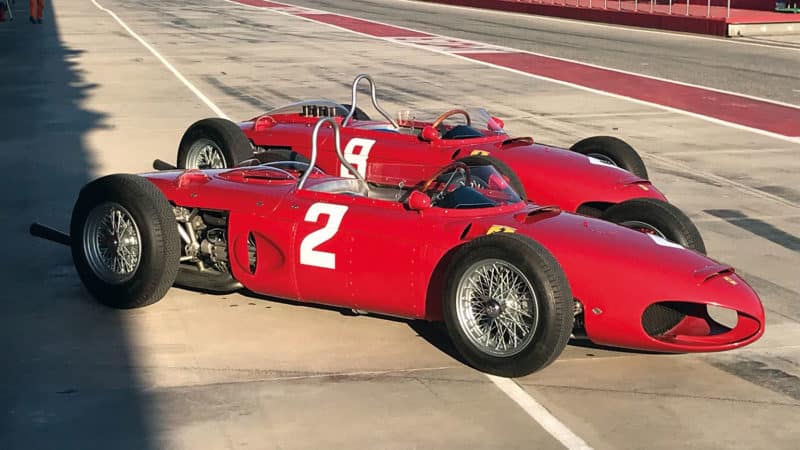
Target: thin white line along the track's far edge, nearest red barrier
[{"x": 663, "y": 33}]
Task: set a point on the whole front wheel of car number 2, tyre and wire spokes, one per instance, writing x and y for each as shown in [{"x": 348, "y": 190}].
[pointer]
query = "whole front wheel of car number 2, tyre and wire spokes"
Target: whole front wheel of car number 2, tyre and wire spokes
[{"x": 508, "y": 305}]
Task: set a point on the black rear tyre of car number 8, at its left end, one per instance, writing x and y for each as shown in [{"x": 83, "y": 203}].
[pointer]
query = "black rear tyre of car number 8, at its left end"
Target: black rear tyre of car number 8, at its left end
[{"x": 224, "y": 135}]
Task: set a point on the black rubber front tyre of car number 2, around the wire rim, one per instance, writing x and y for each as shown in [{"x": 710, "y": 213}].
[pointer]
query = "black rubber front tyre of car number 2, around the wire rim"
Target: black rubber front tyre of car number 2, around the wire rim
[{"x": 553, "y": 300}]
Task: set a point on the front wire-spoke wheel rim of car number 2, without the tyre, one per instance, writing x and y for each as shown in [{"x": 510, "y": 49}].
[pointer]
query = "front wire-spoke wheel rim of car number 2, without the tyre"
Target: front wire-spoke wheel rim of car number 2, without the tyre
[{"x": 497, "y": 308}]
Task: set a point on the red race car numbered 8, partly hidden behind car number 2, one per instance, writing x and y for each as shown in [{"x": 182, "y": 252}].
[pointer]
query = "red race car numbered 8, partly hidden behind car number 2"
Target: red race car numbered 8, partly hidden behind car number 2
[{"x": 586, "y": 179}]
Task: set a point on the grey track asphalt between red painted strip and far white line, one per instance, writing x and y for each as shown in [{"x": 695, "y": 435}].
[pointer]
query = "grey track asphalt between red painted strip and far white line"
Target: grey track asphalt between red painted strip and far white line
[{"x": 770, "y": 72}]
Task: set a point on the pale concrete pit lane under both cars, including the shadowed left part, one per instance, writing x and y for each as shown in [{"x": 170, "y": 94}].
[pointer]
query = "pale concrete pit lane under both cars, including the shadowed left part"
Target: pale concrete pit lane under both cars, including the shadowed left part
[{"x": 80, "y": 98}]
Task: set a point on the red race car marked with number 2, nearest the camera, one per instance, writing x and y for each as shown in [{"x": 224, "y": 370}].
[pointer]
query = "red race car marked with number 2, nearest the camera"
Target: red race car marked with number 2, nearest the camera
[{"x": 511, "y": 280}]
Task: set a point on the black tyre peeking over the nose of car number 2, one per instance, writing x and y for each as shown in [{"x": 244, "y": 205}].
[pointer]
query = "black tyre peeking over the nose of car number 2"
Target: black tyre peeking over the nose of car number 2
[{"x": 649, "y": 214}]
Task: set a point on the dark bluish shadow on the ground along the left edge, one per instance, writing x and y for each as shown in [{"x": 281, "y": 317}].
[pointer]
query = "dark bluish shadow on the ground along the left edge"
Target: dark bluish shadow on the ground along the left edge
[{"x": 67, "y": 378}]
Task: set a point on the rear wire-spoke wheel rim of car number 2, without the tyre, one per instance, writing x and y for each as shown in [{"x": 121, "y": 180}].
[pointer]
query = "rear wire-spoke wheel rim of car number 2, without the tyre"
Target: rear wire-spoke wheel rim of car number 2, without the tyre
[{"x": 112, "y": 243}]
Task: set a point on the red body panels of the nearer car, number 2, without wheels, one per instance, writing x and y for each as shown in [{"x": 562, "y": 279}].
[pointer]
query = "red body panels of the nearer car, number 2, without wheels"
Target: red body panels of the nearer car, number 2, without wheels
[{"x": 384, "y": 257}]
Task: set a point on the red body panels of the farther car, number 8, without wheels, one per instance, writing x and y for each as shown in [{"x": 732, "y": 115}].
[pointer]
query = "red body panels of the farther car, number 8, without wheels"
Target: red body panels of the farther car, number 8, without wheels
[{"x": 550, "y": 175}]
